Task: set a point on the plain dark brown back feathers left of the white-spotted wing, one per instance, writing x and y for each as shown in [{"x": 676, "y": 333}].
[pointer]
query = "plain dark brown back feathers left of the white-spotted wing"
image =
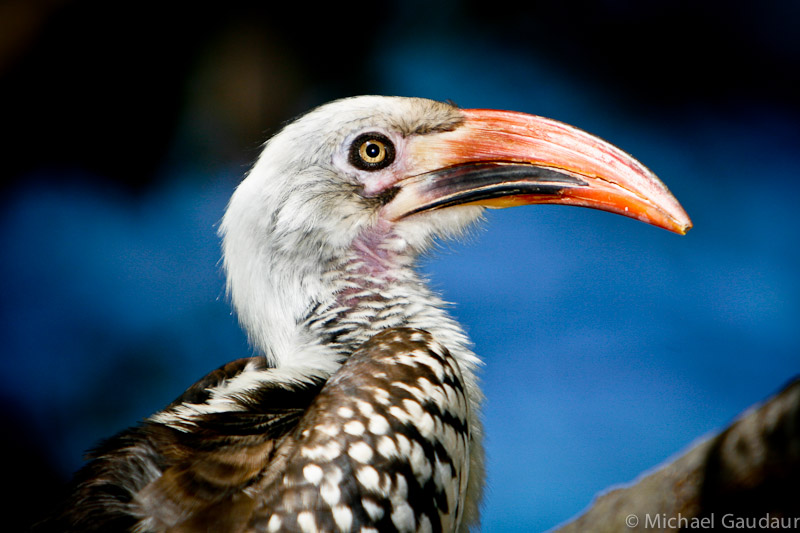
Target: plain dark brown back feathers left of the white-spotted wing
[{"x": 161, "y": 477}]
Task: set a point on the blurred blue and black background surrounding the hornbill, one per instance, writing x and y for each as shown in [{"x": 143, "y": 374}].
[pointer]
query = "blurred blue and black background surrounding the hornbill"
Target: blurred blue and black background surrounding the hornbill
[{"x": 610, "y": 346}]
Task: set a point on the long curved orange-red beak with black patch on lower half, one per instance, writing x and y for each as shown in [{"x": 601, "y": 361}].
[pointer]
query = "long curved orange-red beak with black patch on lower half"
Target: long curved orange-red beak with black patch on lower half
[{"x": 502, "y": 159}]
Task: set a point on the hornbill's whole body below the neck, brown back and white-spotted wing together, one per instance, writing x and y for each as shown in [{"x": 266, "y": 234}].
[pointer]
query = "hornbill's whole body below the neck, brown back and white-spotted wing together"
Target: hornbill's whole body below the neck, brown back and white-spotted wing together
[{"x": 381, "y": 444}]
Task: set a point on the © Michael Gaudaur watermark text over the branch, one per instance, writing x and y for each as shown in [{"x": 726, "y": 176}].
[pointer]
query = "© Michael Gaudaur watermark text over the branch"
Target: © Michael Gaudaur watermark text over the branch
[{"x": 663, "y": 521}]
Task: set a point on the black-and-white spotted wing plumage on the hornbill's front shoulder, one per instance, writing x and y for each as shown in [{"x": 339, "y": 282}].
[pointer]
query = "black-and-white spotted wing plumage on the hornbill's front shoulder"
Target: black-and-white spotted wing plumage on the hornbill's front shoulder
[{"x": 380, "y": 446}]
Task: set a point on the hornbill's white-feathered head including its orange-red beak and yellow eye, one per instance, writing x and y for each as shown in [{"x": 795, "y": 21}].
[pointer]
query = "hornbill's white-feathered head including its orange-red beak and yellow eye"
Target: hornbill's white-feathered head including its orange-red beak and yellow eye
[{"x": 379, "y": 178}]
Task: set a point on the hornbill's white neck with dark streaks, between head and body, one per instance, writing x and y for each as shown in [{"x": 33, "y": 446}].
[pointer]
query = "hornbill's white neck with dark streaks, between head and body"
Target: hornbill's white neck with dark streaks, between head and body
[{"x": 308, "y": 306}]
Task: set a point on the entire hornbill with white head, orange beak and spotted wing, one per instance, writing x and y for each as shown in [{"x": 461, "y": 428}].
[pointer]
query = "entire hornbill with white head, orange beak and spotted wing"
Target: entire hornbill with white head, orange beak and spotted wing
[{"x": 361, "y": 411}]
